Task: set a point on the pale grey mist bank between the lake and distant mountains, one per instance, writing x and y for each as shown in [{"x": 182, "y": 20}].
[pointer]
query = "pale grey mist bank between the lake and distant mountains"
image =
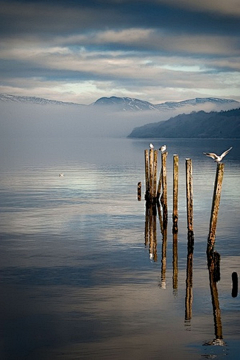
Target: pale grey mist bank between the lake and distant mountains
[{"x": 29, "y": 121}]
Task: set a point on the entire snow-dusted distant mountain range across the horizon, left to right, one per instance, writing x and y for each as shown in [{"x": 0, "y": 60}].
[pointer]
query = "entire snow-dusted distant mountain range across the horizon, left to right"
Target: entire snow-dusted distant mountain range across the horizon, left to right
[{"x": 127, "y": 104}]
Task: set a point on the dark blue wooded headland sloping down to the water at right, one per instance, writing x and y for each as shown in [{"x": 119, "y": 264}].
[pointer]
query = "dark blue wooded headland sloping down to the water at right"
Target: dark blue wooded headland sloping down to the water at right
[{"x": 224, "y": 124}]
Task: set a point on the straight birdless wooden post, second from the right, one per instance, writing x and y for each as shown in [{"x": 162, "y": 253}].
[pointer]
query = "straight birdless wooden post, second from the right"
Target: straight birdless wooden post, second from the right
[{"x": 189, "y": 191}]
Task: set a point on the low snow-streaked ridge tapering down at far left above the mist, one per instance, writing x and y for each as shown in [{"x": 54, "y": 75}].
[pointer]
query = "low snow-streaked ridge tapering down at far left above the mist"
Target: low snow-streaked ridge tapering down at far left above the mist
[{"x": 33, "y": 100}]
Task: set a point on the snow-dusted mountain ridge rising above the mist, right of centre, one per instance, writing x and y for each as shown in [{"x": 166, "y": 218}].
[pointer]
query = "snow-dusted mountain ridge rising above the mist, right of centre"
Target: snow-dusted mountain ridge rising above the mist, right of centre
[{"x": 131, "y": 104}]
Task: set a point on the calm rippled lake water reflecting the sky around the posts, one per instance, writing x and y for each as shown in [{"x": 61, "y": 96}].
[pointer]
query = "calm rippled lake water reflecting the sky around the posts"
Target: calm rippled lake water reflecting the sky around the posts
[{"x": 77, "y": 280}]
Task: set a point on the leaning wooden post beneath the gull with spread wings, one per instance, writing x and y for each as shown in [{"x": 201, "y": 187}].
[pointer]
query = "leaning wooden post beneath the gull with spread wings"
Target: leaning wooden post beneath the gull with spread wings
[{"x": 215, "y": 206}]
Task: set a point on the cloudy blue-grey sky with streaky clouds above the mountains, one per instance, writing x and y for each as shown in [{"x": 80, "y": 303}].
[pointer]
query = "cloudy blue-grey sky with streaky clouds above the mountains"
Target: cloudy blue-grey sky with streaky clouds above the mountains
[{"x": 154, "y": 50}]
